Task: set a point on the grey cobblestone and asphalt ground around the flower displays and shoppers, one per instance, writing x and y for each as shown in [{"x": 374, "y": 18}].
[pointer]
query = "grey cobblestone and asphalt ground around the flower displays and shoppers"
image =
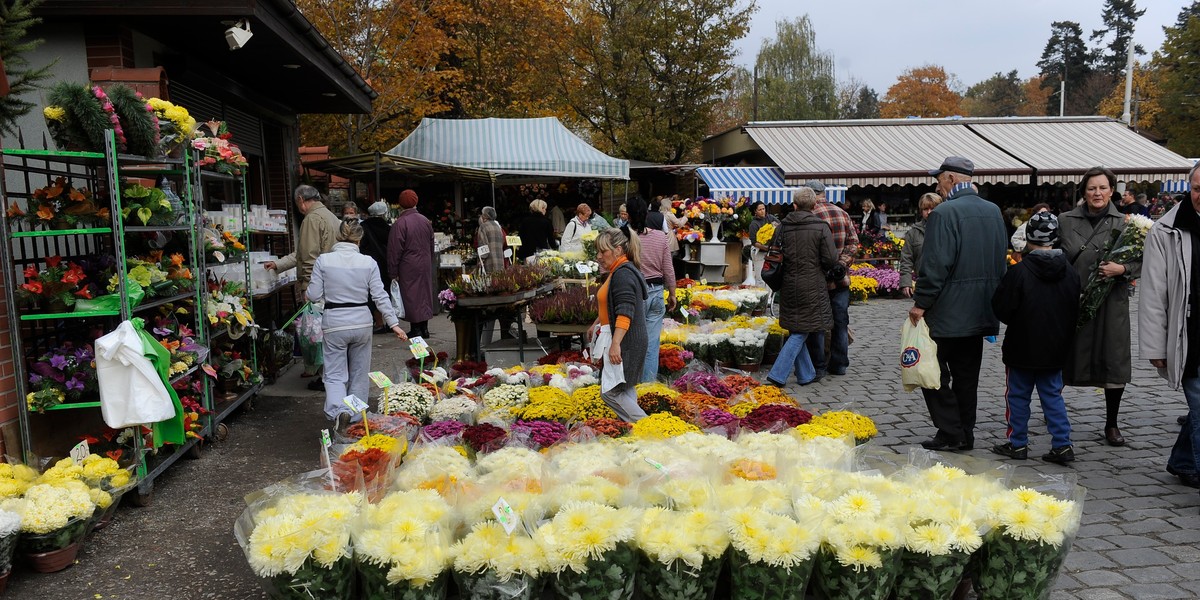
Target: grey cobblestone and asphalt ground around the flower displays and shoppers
[{"x": 1139, "y": 537}]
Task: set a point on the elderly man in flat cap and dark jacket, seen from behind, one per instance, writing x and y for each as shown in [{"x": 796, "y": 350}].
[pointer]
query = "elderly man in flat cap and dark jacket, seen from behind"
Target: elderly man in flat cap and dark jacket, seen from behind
[{"x": 961, "y": 269}]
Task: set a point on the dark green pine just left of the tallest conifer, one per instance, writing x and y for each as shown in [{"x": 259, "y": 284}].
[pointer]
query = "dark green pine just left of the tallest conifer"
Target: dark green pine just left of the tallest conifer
[{"x": 1066, "y": 58}]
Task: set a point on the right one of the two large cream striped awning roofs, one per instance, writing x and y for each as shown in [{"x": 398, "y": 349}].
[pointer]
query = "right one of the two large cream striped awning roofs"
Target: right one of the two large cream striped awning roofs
[{"x": 1063, "y": 151}]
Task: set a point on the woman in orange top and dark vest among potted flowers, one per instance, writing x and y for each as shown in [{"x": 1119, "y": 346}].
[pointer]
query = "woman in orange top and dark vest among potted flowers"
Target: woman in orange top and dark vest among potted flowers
[{"x": 622, "y": 343}]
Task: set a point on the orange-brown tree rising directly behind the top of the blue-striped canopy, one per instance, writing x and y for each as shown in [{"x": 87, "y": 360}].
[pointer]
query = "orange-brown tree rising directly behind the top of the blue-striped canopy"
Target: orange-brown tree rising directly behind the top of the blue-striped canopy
[{"x": 508, "y": 52}]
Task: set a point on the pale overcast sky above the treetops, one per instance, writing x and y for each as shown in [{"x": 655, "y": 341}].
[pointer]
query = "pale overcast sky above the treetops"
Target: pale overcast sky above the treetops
[{"x": 878, "y": 40}]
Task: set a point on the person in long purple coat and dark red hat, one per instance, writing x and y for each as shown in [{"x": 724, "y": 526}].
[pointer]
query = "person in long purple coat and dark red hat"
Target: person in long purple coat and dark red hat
[{"x": 411, "y": 263}]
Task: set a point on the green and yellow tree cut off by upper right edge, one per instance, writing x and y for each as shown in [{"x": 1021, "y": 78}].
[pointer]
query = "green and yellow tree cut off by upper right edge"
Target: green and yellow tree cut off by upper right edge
[{"x": 1180, "y": 86}]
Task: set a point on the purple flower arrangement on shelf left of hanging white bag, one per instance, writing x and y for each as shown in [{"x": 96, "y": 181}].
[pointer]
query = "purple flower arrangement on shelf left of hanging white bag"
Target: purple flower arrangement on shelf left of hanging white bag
[{"x": 62, "y": 375}]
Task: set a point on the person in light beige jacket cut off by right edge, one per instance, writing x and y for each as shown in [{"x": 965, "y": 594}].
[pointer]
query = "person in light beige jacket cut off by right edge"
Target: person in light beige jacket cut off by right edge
[{"x": 1169, "y": 320}]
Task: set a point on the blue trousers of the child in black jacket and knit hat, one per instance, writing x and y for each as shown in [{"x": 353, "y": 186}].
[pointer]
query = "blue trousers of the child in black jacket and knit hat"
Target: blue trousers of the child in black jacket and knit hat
[{"x": 1018, "y": 397}]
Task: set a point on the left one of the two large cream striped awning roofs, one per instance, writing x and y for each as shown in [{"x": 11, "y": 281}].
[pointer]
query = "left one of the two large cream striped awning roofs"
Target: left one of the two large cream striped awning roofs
[{"x": 881, "y": 153}]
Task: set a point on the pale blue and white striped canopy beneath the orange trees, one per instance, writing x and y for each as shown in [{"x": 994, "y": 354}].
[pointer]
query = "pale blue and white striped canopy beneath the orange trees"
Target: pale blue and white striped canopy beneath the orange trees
[{"x": 511, "y": 147}]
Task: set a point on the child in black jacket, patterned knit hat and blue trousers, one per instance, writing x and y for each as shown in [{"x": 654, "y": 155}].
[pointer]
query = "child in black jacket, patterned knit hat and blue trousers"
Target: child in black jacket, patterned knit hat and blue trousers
[{"x": 1039, "y": 299}]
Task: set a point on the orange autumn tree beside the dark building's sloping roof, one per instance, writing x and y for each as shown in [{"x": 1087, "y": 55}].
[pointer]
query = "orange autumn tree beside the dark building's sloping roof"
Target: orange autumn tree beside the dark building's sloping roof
[{"x": 398, "y": 47}]
